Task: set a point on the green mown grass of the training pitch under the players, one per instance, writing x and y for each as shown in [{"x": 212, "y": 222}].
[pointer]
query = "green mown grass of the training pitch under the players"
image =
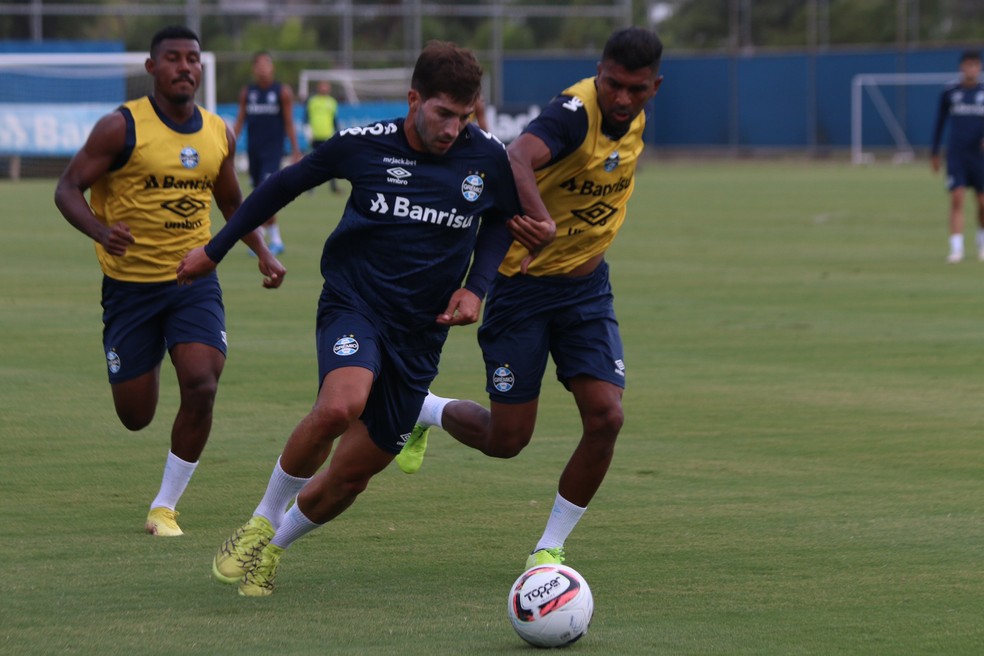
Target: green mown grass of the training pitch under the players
[{"x": 800, "y": 470}]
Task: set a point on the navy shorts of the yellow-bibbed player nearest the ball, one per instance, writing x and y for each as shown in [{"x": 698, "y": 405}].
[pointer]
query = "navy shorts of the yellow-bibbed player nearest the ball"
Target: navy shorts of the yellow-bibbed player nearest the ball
[{"x": 528, "y": 317}]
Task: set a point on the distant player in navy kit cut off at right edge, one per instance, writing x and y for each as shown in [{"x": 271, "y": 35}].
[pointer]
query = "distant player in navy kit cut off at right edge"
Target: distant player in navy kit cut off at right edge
[{"x": 963, "y": 104}]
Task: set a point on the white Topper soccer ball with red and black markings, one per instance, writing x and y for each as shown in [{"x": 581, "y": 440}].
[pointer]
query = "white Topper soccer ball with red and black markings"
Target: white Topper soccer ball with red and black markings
[{"x": 550, "y": 606}]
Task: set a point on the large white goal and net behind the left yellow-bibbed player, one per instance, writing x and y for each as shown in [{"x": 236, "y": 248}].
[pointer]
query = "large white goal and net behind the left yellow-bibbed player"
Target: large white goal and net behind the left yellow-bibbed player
[{"x": 50, "y": 102}]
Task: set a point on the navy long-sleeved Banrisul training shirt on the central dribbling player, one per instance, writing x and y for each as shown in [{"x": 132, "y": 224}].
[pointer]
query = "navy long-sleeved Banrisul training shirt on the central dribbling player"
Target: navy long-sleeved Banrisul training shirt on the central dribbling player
[{"x": 410, "y": 225}]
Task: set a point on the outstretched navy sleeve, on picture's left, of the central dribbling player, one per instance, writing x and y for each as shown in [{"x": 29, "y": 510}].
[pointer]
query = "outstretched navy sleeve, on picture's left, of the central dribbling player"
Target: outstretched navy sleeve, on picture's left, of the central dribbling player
[{"x": 278, "y": 190}]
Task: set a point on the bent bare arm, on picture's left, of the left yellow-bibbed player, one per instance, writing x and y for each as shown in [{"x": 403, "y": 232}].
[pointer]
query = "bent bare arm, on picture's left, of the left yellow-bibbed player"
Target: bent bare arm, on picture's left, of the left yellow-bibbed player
[{"x": 105, "y": 144}]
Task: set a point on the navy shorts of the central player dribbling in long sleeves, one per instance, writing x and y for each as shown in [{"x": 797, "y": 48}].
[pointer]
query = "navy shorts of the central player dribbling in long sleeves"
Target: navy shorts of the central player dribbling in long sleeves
[{"x": 401, "y": 375}]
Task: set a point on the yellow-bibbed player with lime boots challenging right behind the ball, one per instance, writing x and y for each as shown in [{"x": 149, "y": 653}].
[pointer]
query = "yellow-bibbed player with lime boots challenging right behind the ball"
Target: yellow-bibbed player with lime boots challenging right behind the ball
[{"x": 575, "y": 163}]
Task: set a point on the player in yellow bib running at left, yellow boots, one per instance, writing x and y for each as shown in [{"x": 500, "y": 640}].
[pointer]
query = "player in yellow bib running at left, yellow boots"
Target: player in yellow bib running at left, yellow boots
[{"x": 153, "y": 166}]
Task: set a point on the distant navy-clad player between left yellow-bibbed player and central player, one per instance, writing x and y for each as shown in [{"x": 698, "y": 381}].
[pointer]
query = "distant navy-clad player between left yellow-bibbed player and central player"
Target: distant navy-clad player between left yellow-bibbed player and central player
[{"x": 266, "y": 109}]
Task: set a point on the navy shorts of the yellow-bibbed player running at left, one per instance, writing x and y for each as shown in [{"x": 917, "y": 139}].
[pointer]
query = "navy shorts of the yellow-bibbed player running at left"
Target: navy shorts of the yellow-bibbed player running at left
[{"x": 141, "y": 321}]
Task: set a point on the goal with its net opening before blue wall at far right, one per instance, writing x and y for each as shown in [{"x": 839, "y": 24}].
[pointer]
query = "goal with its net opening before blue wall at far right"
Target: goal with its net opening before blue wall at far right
[{"x": 894, "y": 113}]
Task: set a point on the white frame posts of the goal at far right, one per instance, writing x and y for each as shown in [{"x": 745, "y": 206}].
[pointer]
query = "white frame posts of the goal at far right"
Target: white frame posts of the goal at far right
[{"x": 871, "y": 82}]
